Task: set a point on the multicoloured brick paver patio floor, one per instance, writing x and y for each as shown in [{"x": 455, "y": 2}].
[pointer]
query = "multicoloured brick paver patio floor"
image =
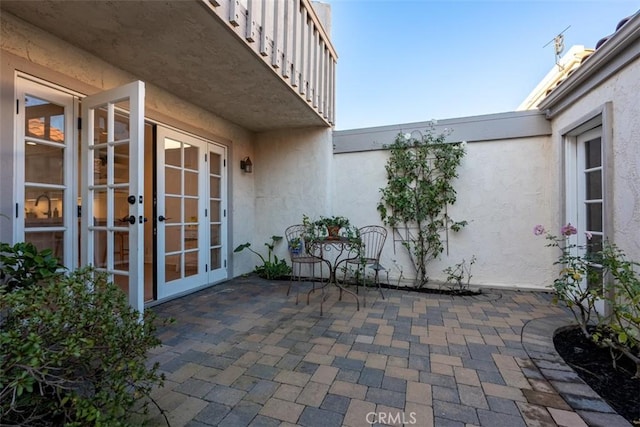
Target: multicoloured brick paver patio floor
[{"x": 244, "y": 354}]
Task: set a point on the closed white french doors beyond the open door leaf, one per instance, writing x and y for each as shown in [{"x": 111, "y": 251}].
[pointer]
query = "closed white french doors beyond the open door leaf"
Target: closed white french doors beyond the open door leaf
[{"x": 190, "y": 207}]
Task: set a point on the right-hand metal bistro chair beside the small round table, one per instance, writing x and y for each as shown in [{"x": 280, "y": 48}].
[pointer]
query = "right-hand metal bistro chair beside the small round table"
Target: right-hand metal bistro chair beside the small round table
[{"x": 373, "y": 238}]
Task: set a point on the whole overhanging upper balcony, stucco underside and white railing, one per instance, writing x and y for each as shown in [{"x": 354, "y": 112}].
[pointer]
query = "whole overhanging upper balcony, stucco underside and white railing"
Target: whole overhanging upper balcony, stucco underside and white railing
[{"x": 263, "y": 64}]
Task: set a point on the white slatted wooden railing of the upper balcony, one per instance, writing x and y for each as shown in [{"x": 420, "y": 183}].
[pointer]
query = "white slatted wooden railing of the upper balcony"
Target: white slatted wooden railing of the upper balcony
[{"x": 288, "y": 35}]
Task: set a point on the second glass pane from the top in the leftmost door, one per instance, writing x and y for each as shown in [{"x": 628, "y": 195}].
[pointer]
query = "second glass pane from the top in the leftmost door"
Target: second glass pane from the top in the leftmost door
[{"x": 44, "y": 163}]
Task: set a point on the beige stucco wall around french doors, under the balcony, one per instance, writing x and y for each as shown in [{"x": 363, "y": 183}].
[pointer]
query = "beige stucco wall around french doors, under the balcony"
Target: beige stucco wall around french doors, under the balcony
[{"x": 282, "y": 160}]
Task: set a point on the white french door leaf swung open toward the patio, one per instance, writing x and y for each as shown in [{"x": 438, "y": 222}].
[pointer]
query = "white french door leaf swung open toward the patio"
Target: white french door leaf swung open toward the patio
[{"x": 113, "y": 187}]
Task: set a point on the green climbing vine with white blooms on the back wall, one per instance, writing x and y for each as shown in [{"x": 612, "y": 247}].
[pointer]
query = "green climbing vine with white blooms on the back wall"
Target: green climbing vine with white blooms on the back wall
[{"x": 420, "y": 175}]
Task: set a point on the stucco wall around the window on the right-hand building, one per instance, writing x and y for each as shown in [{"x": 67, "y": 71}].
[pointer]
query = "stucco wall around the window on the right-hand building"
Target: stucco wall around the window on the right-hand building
[{"x": 623, "y": 172}]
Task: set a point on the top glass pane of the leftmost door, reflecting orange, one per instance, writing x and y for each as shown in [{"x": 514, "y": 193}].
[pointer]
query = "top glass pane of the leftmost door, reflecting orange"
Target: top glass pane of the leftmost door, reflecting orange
[{"x": 44, "y": 120}]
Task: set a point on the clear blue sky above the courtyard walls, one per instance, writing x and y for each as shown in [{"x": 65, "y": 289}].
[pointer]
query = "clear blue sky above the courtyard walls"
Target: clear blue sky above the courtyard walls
[{"x": 402, "y": 61}]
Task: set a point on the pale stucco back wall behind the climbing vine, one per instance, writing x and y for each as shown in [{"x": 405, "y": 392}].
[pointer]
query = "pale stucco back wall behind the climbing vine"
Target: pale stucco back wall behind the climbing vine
[{"x": 505, "y": 188}]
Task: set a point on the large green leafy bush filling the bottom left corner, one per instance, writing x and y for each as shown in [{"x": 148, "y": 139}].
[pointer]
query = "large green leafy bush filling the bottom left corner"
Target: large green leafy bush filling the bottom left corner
[{"x": 73, "y": 350}]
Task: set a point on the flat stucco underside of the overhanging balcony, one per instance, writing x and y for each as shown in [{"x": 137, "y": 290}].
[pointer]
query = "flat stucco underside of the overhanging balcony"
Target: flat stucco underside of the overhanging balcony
[{"x": 181, "y": 47}]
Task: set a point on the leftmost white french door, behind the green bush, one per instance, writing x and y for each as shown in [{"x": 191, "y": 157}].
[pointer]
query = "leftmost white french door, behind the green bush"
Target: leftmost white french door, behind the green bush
[{"x": 45, "y": 202}]
